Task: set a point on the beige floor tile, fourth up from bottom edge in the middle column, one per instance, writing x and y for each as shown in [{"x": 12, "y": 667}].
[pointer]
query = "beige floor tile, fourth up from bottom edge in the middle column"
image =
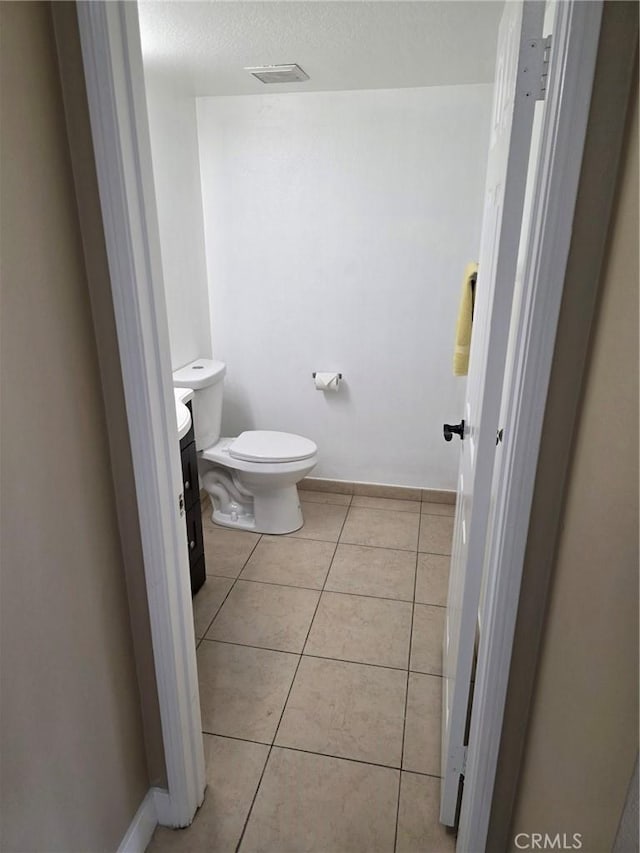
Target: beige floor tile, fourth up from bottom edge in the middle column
[{"x": 382, "y": 572}]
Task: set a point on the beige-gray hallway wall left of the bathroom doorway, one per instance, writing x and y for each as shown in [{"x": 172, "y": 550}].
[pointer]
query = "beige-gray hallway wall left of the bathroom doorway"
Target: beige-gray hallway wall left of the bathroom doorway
[{"x": 73, "y": 761}]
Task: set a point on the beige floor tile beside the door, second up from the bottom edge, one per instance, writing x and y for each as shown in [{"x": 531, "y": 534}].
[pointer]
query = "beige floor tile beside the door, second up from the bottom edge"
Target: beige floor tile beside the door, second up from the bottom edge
[{"x": 422, "y": 730}]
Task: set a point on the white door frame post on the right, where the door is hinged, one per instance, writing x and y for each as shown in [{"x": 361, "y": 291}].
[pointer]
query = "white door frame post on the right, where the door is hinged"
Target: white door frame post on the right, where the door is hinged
[{"x": 568, "y": 99}]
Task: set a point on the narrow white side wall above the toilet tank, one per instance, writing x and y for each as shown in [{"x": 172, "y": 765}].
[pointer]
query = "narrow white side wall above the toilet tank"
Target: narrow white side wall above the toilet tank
[{"x": 176, "y": 170}]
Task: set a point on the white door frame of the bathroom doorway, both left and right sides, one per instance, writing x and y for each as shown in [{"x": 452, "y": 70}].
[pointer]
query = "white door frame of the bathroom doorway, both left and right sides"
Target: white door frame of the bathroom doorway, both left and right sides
[{"x": 112, "y": 58}]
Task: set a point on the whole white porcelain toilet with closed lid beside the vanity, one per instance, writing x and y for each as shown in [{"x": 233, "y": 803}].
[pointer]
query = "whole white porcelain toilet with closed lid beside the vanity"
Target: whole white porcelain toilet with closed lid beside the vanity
[{"x": 251, "y": 479}]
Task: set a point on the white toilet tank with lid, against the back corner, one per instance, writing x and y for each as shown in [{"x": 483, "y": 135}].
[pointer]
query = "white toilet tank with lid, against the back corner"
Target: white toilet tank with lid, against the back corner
[{"x": 204, "y": 376}]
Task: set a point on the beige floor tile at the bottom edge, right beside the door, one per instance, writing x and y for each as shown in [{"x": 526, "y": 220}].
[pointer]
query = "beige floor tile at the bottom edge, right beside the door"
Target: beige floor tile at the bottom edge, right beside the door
[{"x": 419, "y": 828}]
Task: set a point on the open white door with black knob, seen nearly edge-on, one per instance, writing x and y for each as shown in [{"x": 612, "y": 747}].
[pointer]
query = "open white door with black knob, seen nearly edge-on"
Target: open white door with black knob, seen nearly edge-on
[{"x": 517, "y": 87}]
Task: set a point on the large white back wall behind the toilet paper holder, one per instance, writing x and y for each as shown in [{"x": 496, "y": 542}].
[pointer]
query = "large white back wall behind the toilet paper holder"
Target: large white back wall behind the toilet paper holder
[{"x": 337, "y": 228}]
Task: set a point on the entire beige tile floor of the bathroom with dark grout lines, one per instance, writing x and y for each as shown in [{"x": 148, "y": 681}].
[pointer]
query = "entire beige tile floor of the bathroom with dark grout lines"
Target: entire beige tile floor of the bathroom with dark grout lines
[{"x": 319, "y": 661}]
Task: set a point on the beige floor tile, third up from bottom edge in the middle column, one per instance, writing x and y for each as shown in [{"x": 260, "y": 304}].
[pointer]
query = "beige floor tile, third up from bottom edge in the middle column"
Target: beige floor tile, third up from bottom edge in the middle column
[{"x": 358, "y": 628}]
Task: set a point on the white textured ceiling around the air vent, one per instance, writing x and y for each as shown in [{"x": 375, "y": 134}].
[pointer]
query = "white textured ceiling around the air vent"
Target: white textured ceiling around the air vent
[{"x": 202, "y": 47}]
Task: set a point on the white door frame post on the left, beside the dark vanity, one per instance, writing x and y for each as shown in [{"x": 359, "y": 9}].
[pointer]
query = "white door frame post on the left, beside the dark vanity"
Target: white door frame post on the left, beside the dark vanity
[{"x": 112, "y": 58}]
